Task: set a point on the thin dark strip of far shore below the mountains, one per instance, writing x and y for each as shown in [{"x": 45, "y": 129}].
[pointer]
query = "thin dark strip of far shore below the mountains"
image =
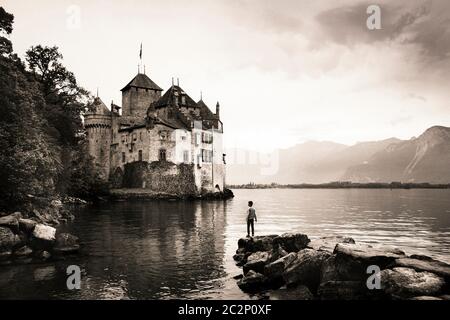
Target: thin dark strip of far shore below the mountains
[{"x": 343, "y": 185}]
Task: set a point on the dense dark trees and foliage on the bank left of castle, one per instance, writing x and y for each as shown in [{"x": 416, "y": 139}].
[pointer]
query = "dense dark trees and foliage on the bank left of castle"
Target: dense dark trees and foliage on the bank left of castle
[{"x": 41, "y": 130}]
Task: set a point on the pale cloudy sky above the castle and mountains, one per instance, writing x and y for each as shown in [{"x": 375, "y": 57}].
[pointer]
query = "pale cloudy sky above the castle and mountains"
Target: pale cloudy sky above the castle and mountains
[{"x": 284, "y": 71}]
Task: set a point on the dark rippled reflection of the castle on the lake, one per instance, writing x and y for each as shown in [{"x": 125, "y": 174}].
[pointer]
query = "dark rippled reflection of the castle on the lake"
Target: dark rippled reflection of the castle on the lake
[{"x": 175, "y": 247}]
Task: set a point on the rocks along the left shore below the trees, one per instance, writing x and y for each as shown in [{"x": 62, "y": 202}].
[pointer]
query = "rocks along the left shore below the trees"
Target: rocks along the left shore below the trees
[{"x": 31, "y": 236}]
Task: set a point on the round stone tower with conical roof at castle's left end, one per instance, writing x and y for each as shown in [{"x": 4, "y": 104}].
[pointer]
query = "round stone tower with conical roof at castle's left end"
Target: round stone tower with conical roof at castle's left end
[{"x": 97, "y": 122}]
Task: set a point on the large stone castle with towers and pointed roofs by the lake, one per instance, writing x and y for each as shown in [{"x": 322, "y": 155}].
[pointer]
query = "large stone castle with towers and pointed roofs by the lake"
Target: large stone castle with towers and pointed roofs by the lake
[{"x": 164, "y": 143}]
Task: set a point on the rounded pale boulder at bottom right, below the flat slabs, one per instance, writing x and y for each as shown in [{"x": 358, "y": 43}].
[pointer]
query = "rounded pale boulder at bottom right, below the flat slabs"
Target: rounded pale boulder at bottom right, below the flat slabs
[{"x": 407, "y": 283}]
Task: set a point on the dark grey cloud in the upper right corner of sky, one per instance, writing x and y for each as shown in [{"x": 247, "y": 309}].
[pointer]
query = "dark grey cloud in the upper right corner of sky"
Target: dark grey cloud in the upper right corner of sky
[{"x": 423, "y": 23}]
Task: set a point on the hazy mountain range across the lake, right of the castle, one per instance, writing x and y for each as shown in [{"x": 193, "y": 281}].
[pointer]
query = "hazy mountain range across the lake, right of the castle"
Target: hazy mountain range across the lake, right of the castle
[{"x": 422, "y": 159}]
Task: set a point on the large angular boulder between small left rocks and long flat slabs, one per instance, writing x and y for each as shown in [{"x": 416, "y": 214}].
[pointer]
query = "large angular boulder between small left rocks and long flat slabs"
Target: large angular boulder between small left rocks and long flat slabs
[{"x": 306, "y": 269}]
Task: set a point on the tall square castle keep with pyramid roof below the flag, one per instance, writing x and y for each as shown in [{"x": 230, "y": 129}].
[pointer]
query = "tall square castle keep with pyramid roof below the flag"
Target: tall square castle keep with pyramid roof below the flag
[{"x": 137, "y": 96}]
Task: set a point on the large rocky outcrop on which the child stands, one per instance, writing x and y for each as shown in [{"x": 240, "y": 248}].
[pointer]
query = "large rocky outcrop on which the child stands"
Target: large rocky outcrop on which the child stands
[{"x": 292, "y": 267}]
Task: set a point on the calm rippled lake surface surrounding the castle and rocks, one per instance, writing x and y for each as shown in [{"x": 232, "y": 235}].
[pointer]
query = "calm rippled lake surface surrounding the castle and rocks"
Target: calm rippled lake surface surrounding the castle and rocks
[{"x": 166, "y": 250}]
